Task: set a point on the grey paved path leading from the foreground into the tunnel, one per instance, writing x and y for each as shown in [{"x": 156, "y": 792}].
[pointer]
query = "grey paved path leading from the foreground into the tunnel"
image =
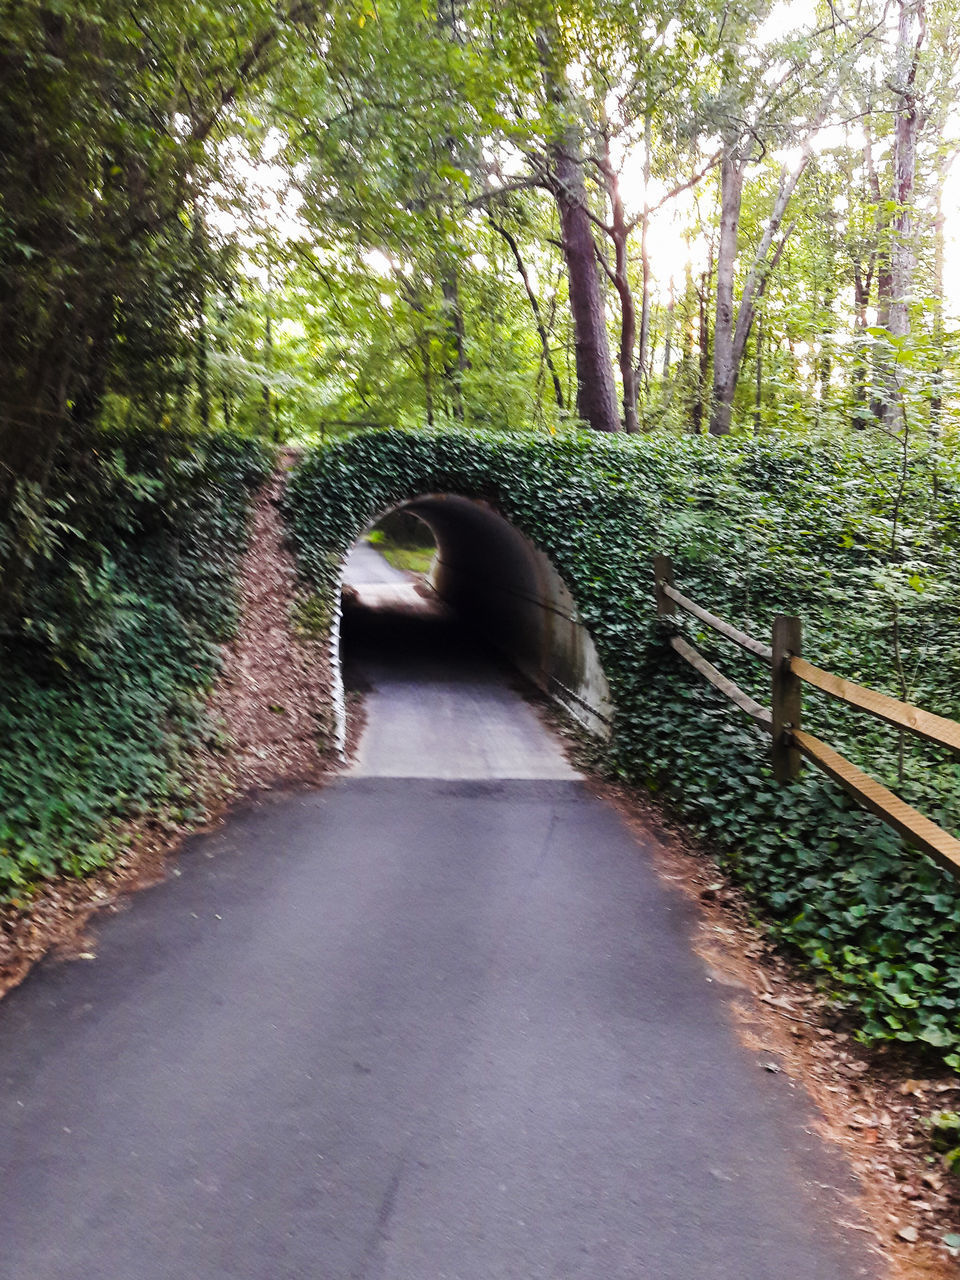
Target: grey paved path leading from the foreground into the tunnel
[{"x": 405, "y": 1028}]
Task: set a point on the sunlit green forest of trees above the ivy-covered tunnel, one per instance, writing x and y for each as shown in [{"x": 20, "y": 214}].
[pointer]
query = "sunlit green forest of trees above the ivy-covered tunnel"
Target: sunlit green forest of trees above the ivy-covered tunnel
[{"x": 301, "y": 218}]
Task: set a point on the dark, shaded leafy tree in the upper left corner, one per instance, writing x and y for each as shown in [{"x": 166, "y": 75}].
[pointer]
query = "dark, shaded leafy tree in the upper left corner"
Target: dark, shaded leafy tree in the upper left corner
[{"x": 107, "y": 120}]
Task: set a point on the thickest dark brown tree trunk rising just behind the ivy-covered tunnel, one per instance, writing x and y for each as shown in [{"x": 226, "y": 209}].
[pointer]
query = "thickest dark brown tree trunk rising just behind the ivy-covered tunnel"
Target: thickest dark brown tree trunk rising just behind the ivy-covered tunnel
[{"x": 597, "y": 391}]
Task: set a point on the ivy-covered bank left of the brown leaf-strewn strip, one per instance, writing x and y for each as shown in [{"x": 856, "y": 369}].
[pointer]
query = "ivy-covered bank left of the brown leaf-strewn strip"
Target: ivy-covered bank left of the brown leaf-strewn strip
[{"x": 129, "y": 596}]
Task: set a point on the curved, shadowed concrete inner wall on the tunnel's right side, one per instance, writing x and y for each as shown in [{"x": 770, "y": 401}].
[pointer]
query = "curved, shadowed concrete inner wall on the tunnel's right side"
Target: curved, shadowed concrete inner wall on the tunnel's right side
[{"x": 504, "y": 587}]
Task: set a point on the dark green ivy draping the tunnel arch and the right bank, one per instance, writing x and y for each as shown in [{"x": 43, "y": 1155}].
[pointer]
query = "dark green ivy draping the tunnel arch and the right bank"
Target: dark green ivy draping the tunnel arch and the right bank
[{"x": 872, "y": 566}]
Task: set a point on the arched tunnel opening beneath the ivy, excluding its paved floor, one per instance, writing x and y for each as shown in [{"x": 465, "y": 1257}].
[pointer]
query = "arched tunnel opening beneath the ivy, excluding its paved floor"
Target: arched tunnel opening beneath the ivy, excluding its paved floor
[{"x": 495, "y": 588}]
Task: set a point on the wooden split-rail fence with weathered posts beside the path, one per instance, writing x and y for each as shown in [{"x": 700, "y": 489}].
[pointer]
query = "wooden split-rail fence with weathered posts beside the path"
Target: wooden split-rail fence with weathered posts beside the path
[{"x": 783, "y": 719}]
